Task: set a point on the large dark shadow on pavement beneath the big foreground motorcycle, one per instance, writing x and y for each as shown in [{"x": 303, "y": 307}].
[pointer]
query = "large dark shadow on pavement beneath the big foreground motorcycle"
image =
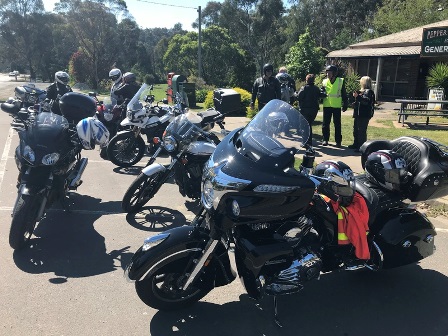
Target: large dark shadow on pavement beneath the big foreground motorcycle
[{"x": 405, "y": 301}]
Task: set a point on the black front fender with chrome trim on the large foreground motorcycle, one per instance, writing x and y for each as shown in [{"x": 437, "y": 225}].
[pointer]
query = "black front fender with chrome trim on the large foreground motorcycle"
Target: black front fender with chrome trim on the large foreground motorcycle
[{"x": 177, "y": 243}]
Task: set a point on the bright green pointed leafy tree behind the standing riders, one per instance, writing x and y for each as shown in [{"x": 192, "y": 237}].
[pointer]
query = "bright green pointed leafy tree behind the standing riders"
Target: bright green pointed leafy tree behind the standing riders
[{"x": 304, "y": 57}]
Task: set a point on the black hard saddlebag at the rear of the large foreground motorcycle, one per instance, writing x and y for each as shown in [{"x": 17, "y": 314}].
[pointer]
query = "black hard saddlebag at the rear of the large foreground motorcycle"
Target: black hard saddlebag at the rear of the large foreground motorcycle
[{"x": 406, "y": 237}]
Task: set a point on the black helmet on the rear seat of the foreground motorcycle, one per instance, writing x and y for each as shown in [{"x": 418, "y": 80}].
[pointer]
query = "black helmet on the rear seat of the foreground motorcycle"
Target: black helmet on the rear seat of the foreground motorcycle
[{"x": 387, "y": 169}]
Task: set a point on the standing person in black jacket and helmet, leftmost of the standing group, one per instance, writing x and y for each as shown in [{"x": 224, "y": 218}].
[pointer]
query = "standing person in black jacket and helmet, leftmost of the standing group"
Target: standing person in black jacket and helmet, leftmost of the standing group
[{"x": 265, "y": 88}]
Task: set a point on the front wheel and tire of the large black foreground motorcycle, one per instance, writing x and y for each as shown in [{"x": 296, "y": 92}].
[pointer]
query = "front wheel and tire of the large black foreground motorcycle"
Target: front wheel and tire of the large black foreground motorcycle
[{"x": 161, "y": 289}]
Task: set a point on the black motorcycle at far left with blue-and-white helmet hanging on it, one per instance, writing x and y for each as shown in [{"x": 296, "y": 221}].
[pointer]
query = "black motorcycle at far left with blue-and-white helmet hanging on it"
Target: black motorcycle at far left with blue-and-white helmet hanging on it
[{"x": 49, "y": 160}]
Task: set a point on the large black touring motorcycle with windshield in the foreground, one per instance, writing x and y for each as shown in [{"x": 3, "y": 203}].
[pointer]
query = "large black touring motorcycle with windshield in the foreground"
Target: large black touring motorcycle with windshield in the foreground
[{"x": 282, "y": 230}]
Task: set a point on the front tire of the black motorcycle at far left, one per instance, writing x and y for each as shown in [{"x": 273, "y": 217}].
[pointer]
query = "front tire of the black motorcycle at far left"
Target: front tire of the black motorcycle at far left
[{"x": 24, "y": 219}]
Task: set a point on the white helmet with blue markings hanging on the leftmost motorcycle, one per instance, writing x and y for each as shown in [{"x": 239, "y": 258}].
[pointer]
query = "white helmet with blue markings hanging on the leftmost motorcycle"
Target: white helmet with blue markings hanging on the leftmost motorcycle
[{"x": 91, "y": 131}]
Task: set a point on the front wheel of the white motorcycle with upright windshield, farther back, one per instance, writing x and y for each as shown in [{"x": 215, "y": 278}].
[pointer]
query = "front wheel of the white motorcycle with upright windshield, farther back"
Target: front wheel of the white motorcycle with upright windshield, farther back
[{"x": 125, "y": 150}]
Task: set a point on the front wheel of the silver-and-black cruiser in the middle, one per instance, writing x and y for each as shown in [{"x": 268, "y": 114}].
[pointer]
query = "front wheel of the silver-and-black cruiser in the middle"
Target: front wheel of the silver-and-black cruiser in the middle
[{"x": 141, "y": 191}]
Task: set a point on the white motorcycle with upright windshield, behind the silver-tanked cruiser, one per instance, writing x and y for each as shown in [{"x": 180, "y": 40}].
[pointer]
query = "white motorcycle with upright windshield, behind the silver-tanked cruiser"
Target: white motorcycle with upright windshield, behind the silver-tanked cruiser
[{"x": 127, "y": 147}]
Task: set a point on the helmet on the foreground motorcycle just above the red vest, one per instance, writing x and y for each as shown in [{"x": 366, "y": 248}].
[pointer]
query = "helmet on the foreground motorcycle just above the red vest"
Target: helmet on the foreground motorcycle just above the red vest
[{"x": 341, "y": 180}]
